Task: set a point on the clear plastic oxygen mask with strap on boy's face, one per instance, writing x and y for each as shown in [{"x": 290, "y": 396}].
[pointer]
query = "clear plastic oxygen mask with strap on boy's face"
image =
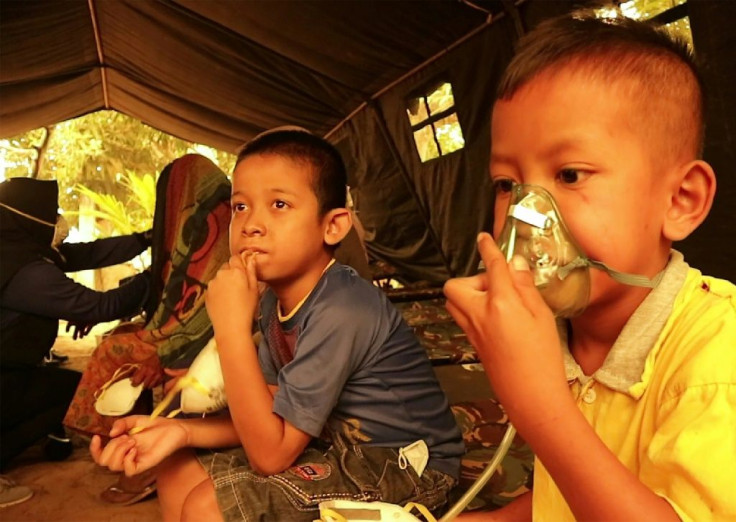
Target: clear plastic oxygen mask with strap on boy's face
[{"x": 534, "y": 229}]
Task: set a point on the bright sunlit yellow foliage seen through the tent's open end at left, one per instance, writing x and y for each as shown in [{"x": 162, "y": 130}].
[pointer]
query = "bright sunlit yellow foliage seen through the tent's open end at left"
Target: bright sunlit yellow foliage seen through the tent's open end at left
[{"x": 108, "y": 158}]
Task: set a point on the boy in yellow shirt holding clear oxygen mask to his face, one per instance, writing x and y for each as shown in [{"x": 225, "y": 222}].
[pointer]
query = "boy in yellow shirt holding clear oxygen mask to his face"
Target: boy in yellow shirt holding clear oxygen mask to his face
[{"x": 628, "y": 399}]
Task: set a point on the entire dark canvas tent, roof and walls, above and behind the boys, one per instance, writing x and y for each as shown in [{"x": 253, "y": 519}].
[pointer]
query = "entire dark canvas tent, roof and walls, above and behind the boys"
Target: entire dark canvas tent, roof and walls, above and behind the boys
[{"x": 220, "y": 71}]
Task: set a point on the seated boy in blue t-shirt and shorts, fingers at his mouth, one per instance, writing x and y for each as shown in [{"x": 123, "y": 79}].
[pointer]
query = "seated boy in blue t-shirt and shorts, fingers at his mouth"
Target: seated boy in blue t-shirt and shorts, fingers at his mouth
[{"x": 339, "y": 401}]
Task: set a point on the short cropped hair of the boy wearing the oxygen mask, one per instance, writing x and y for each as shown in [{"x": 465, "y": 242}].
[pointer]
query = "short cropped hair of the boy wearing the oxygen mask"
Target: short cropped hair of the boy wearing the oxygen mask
[{"x": 661, "y": 72}]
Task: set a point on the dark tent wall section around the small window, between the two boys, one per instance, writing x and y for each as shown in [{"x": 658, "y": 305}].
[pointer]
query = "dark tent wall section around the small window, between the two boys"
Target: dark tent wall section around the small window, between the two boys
[{"x": 424, "y": 217}]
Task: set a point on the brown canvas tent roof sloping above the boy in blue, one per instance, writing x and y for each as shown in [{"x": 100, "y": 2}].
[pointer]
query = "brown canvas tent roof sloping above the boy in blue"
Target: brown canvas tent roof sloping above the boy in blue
[{"x": 216, "y": 72}]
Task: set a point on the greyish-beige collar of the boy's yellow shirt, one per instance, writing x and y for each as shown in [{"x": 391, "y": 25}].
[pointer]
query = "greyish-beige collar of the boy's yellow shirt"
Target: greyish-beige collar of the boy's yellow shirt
[{"x": 624, "y": 365}]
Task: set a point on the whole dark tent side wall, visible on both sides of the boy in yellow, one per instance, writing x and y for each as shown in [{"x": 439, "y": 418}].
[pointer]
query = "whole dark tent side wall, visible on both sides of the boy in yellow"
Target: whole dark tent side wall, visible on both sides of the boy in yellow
[{"x": 426, "y": 225}]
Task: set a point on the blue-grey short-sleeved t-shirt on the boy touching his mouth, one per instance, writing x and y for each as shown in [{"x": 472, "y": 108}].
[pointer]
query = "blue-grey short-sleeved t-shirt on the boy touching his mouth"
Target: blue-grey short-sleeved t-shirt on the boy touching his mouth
[{"x": 346, "y": 360}]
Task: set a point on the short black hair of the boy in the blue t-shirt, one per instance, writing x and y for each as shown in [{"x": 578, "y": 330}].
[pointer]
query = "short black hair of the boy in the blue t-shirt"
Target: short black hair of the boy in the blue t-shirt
[{"x": 329, "y": 178}]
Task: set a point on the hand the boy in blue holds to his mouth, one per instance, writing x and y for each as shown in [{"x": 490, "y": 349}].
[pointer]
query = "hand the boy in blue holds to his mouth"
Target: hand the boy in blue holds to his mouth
[{"x": 232, "y": 297}]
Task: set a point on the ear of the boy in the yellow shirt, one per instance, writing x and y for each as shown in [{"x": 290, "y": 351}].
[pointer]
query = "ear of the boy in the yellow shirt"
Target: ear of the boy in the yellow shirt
[{"x": 690, "y": 200}]
